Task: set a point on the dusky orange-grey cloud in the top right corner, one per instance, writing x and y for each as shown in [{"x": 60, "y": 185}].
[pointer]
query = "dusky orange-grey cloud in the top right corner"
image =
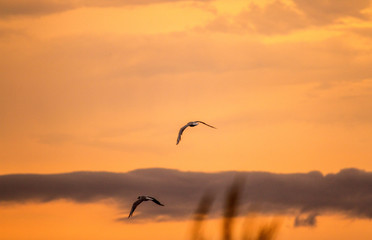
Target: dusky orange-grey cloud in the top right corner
[{"x": 278, "y": 17}]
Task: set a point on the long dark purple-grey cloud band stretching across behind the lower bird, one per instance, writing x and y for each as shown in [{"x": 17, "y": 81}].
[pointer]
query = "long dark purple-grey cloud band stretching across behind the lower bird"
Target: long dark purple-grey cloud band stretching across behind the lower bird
[{"x": 348, "y": 192}]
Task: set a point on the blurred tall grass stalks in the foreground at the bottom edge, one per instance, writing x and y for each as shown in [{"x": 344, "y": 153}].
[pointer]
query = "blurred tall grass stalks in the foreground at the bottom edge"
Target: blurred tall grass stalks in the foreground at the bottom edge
[{"x": 267, "y": 231}]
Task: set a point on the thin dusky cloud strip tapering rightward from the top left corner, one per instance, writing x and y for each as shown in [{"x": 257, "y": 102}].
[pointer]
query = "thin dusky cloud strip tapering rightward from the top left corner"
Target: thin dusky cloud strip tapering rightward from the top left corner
[{"x": 41, "y": 7}]
